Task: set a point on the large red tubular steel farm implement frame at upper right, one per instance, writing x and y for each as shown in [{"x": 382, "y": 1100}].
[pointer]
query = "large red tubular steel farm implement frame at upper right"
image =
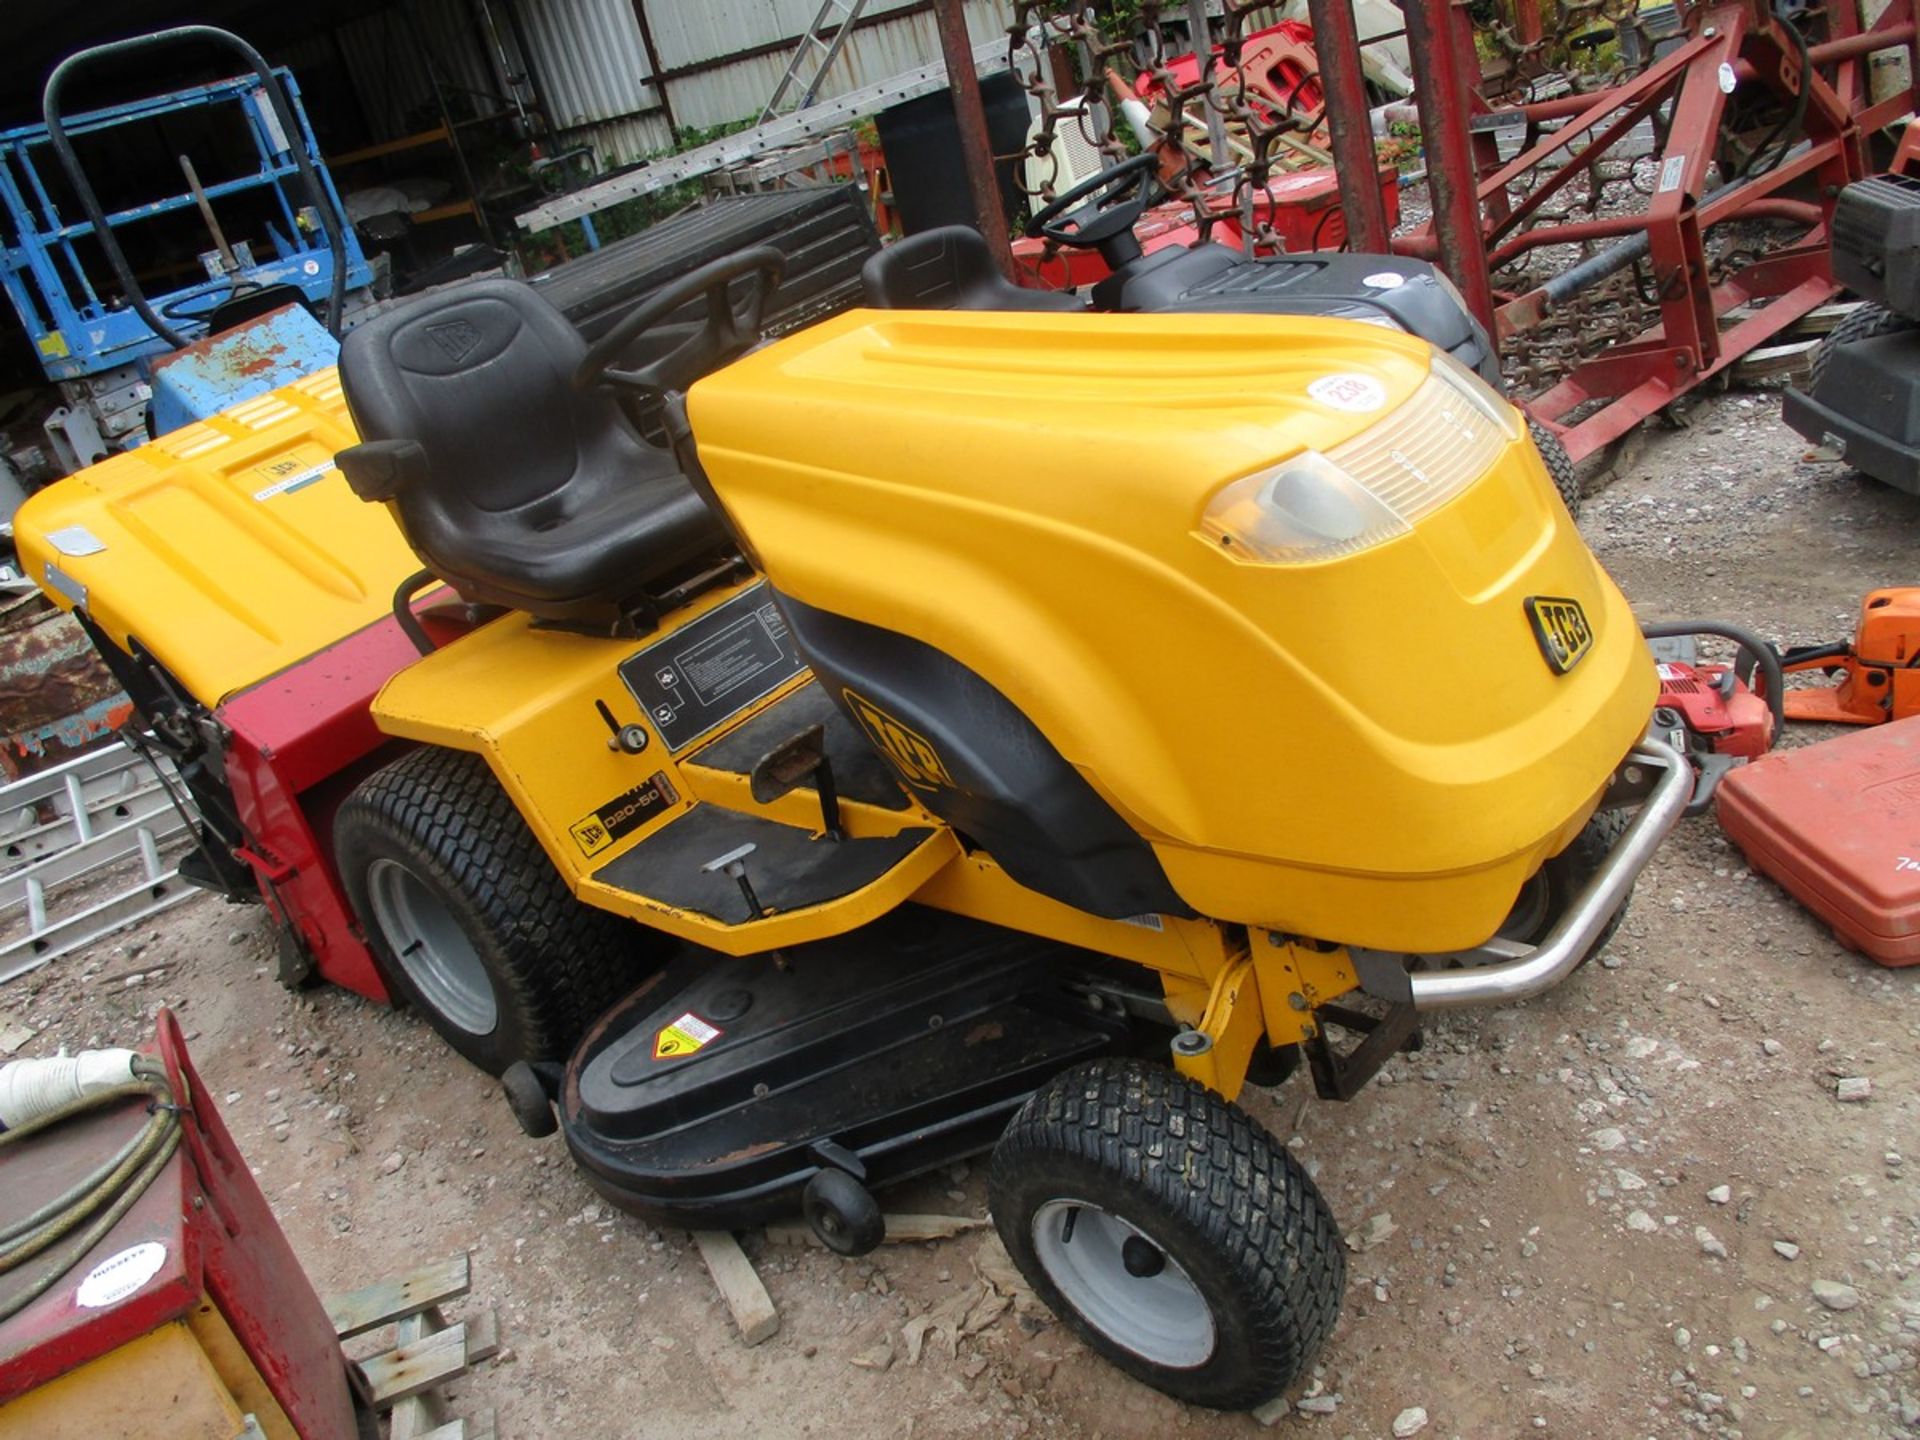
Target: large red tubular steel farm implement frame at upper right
[{"x": 1477, "y": 226}]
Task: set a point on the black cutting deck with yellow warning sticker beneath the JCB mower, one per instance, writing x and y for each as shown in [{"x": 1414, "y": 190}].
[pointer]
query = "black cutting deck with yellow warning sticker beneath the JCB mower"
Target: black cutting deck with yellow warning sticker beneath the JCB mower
[{"x": 719, "y": 1090}]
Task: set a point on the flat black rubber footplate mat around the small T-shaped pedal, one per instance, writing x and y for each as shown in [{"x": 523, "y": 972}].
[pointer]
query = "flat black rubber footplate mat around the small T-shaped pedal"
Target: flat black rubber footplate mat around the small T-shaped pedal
[{"x": 788, "y": 869}]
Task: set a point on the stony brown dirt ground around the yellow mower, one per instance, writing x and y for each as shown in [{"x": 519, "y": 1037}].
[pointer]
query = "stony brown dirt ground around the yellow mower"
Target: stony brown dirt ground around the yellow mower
[{"x": 1600, "y": 1214}]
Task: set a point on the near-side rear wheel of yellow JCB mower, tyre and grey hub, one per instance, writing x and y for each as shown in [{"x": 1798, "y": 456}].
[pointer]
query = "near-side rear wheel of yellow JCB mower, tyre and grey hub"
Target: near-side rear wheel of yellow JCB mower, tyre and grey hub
[{"x": 469, "y": 921}]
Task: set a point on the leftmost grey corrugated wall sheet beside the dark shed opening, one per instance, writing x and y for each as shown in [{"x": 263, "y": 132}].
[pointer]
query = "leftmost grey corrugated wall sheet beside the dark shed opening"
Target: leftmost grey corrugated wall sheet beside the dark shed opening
[{"x": 588, "y": 59}]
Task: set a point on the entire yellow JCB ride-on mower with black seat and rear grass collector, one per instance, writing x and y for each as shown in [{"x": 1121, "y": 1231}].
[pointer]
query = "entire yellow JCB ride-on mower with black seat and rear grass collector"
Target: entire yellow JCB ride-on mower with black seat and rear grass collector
[{"x": 997, "y": 725}]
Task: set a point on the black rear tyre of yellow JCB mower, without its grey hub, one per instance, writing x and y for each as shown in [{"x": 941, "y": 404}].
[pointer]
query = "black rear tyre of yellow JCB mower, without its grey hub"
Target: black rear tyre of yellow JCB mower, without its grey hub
[{"x": 556, "y": 965}]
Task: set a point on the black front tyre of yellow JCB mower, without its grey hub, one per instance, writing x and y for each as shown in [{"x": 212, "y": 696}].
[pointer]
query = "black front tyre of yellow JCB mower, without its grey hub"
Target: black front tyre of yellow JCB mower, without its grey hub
[{"x": 1201, "y": 1178}]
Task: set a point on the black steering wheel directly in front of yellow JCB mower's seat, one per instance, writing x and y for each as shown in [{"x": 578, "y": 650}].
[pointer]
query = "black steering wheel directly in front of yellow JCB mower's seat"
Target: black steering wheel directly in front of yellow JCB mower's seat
[{"x": 727, "y": 333}]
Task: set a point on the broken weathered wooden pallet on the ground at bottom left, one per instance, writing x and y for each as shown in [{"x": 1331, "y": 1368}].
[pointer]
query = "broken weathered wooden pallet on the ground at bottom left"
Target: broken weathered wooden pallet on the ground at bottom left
[{"x": 427, "y": 1349}]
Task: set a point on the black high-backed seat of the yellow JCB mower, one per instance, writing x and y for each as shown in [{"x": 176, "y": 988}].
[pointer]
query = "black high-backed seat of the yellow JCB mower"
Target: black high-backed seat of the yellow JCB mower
[{"x": 512, "y": 485}]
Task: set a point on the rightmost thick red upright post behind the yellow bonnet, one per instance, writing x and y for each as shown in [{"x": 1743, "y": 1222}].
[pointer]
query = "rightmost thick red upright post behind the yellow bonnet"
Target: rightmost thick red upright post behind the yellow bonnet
[{"x": 1441, "y": 97}]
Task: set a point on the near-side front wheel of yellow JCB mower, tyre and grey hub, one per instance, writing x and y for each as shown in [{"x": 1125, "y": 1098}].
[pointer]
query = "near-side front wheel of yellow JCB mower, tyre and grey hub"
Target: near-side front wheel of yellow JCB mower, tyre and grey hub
[{"x": 1170, "y": 1232}]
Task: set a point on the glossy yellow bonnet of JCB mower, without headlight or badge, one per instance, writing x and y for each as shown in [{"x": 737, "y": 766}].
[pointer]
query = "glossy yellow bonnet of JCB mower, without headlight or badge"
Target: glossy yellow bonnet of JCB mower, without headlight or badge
[{"x": 1370, "y": 750}]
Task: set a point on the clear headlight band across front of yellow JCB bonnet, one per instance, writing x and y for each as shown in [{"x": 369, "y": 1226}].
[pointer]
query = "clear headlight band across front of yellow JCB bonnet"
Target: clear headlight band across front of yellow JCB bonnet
[{"x": 1366, "y": 491}]
